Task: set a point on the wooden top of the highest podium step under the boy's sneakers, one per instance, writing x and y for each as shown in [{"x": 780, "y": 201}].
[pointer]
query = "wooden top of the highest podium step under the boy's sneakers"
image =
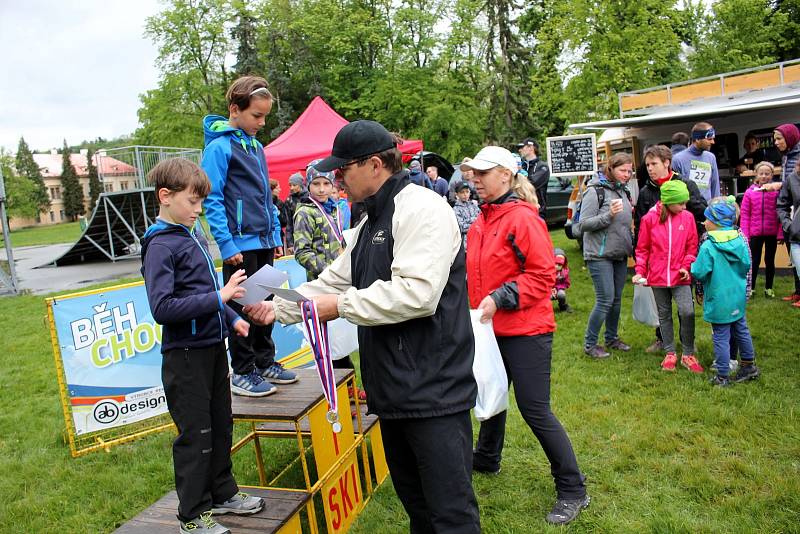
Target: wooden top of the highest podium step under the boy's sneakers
[{"x": 291, "y": 401}]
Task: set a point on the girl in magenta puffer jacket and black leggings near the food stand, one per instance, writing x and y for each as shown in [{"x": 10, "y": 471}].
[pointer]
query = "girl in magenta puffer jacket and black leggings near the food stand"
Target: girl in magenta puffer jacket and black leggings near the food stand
[{"x": 759, "y": 224}]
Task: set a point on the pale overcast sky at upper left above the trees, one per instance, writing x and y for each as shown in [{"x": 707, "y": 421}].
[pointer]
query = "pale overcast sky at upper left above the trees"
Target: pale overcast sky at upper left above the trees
[{"x": 72, "y": 70}]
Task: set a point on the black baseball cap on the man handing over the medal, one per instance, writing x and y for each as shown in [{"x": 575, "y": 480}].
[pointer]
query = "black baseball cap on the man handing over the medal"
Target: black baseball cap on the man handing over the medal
[{"x": 356, "y": 140}]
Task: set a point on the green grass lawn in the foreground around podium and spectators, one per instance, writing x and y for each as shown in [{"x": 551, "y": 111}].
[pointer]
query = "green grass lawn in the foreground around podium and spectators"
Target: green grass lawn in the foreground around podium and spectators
[{"x": 662, "y": 452}]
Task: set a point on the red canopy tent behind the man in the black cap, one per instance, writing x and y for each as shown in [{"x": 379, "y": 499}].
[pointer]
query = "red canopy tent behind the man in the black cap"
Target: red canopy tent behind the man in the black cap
[{"x": 311, "y": 137}]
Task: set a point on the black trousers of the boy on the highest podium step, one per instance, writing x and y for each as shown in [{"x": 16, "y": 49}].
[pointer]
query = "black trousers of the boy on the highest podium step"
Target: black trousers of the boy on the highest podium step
[{"x": 257, "y": 348}]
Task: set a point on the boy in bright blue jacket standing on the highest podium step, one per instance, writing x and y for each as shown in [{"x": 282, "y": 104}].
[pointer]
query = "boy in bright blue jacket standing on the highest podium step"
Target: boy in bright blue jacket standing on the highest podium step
[{"x": 244, "y": 221}]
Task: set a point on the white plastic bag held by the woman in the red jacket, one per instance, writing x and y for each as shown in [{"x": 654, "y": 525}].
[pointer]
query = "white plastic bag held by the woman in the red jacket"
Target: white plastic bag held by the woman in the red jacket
[{"x": 489, "y": 371}]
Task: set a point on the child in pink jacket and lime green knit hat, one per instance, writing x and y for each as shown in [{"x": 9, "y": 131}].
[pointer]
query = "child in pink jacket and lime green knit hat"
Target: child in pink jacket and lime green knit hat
[{"x": 665, "y": 251}]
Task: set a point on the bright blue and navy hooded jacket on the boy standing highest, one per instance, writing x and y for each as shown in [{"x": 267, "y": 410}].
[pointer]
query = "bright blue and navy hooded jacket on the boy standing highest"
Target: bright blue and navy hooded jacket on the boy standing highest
[{"x": 239, "y": 208}]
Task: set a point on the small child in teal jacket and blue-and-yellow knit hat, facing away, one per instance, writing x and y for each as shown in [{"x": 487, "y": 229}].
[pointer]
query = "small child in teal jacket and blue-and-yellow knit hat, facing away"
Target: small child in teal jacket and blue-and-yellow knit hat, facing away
[{"x": 722, "y": 266}]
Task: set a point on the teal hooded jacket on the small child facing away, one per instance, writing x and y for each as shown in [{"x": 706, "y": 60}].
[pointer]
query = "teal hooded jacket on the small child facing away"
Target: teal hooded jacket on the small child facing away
[{"x": 722, "y": 266}]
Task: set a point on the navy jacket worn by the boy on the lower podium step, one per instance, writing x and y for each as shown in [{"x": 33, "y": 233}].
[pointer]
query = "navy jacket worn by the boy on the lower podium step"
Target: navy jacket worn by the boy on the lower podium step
[{"x": 182, "y": 287}]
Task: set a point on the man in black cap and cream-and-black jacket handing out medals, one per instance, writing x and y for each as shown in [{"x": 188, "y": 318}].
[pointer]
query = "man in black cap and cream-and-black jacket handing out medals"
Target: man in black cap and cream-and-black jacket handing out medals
[{"x": 402, "y": 280}]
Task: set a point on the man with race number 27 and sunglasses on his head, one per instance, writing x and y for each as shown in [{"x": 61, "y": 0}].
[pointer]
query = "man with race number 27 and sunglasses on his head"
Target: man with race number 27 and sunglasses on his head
[{"x": 698, "y": 163}]
